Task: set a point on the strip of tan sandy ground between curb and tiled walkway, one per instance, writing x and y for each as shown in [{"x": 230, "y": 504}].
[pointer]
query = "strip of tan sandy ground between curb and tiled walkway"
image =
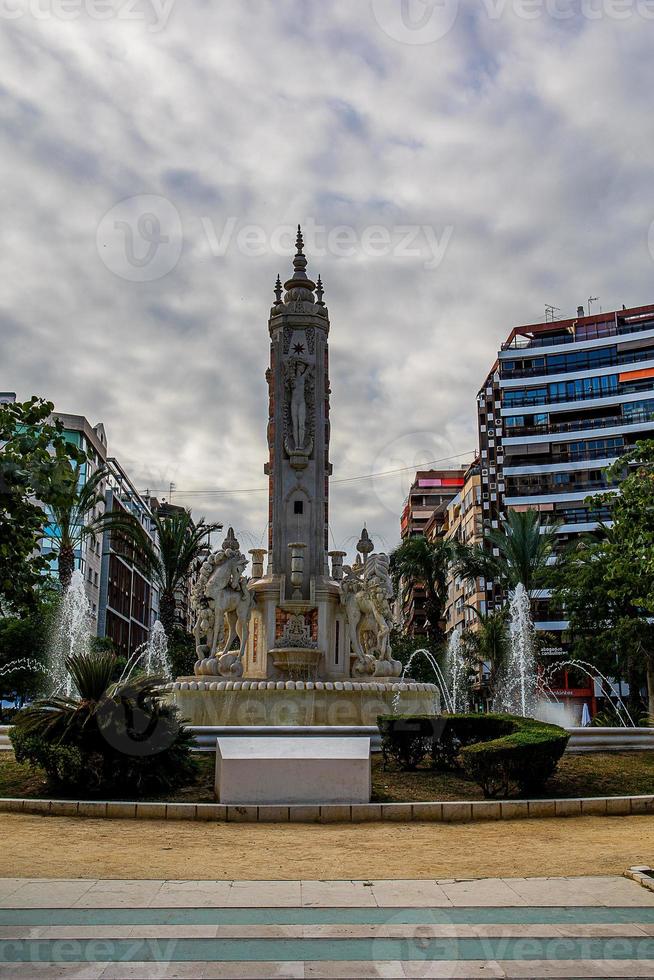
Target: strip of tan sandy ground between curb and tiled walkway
[{"x": 69, "y": 847}]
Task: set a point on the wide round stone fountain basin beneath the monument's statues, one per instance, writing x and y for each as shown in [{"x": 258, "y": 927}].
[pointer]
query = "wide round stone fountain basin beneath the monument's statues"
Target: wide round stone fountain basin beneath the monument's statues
[{"x": 261, "y": 702}]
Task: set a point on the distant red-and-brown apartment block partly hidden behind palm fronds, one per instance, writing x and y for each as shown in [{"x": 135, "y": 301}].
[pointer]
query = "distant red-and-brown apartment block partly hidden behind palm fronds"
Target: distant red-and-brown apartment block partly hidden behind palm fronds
[{"x": 426, "y": 507}]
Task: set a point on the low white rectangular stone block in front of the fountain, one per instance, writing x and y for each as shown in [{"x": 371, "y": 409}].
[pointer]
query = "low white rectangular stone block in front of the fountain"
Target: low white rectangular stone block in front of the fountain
[{"x": 286, "y": 770}]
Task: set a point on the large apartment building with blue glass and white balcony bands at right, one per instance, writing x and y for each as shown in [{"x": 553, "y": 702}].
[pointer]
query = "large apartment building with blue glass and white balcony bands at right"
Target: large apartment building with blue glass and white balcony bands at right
[{"x": 562, "y": 402}]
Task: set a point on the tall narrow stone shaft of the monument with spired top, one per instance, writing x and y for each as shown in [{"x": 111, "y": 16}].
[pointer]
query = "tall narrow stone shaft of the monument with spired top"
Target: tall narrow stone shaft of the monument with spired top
[{"x": 298, "y": 467}]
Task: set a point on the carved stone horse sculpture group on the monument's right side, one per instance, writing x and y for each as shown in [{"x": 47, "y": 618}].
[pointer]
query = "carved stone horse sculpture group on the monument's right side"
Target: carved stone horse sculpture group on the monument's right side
[{"x": 365, "y": 592}]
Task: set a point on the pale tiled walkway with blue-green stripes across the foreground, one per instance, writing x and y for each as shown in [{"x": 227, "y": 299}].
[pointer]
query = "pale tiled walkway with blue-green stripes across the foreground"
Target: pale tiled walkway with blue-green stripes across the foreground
[{"x": 504, "y": 927}]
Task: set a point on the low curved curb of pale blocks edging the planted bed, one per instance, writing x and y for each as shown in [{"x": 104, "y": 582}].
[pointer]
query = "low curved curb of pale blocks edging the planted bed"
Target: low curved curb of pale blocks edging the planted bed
[{"x": 455, "y": 812}]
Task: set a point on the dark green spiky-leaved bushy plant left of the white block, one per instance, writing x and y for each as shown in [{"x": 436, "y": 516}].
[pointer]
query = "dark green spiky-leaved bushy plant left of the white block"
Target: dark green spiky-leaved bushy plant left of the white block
[{"x": 115, "y": 738}]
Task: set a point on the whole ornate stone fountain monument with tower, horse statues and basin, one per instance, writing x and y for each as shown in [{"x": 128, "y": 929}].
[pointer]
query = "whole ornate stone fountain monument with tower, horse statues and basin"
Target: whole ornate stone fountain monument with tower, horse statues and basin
[{"x": 297, "y": 640}]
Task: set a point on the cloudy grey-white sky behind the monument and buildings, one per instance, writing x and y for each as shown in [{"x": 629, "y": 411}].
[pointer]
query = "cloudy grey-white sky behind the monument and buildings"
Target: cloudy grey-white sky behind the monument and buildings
[{"x": 455, "y": 167}]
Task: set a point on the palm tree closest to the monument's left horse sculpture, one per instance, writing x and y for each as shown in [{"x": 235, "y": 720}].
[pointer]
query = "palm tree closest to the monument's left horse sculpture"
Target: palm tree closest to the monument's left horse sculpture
[{"x": 180, "y": 542}]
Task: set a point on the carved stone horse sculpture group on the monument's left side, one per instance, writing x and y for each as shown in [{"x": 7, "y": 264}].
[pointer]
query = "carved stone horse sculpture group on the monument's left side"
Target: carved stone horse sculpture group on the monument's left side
[{"x": 220, "y": 598}]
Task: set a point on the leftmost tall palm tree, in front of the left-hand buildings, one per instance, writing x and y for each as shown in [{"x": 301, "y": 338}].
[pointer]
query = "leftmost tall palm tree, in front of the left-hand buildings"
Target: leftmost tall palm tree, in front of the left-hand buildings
[{"x": 74, "y": 516}]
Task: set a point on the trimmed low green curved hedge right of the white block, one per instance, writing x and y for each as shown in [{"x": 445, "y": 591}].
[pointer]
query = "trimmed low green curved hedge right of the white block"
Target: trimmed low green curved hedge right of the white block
[{"x": 496, "y": 751}]
